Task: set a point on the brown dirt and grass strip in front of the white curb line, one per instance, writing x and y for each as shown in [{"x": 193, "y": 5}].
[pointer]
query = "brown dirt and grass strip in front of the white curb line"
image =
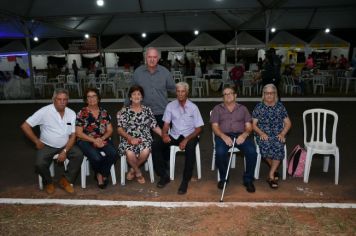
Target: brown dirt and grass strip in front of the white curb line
[{"x": 88, "y": 220}]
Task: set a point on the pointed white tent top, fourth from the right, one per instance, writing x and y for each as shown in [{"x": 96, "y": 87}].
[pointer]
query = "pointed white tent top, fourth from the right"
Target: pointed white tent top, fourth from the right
[{"x": 204, "y": 42}]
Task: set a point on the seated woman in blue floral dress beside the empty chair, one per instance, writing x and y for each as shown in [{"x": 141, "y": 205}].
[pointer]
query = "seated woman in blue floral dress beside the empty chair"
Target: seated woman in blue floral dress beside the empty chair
[{"x": 271, "y": 123}]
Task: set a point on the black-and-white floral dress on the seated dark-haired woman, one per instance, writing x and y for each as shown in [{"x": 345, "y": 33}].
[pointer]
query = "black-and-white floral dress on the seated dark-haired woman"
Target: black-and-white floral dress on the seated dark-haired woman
[{"x": 137, "y": 125}]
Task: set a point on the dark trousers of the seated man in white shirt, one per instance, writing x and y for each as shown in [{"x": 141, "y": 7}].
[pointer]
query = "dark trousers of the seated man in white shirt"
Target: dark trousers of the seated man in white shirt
[{"x": 44, "y": 159}]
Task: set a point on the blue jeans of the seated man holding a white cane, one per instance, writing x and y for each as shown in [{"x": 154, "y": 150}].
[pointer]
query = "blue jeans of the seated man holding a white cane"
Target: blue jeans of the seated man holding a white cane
[{"x": 222, "y": 159}]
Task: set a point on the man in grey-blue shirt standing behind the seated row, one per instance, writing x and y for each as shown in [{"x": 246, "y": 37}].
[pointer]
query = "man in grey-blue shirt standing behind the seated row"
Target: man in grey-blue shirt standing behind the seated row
[{"x": 156, "y": 81}]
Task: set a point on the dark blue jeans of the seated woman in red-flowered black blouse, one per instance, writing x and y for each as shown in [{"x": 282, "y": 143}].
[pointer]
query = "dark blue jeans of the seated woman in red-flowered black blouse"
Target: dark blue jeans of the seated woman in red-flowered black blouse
[{"x": 100, "y": 164}]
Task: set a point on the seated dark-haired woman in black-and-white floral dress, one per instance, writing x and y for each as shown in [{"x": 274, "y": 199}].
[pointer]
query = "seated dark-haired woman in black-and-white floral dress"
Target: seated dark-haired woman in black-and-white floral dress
[{"x": 134, "y": 125}]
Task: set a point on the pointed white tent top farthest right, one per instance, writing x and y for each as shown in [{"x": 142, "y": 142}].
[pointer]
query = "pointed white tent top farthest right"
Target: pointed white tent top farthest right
[{"x": 323, "y": 40}]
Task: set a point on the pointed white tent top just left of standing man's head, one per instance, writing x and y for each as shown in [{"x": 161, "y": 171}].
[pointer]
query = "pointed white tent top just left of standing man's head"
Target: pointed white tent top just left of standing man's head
[{"x": 125, "y": 44}]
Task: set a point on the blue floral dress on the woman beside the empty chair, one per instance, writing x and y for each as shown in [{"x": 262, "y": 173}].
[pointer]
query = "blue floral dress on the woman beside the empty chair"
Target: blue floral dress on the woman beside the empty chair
[{"x": 271, "y": 121}]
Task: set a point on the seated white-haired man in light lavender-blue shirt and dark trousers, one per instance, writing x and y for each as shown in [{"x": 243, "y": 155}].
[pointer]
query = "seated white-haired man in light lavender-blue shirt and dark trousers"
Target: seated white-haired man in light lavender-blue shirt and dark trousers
[{"x": 186, "y": 123}]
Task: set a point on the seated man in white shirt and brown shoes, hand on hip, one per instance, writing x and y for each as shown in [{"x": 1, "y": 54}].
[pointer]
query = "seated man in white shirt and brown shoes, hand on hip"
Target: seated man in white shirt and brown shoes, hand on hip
[{"x": 57, "y": 126}]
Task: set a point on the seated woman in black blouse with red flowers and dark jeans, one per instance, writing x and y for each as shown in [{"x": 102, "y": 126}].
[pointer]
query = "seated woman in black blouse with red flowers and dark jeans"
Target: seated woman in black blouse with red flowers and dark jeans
[{"x": 94, "y": 130}]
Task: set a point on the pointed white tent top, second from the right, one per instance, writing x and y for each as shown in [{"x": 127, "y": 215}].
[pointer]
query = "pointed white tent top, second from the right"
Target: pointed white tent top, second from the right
[{"x": 284, "y": 39}]
